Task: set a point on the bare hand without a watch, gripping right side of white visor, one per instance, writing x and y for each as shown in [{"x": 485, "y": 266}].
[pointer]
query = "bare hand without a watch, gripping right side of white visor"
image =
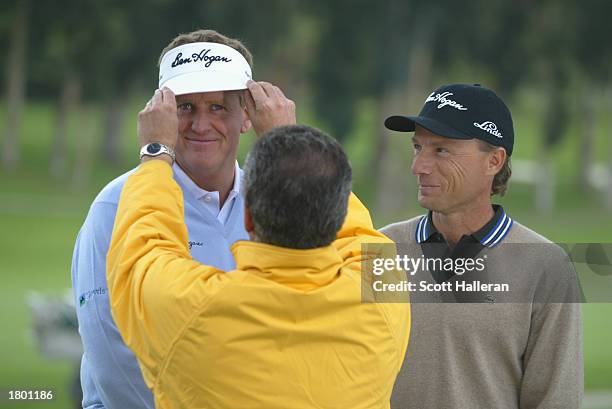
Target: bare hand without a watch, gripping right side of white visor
[{"x": 268, "y": 107}]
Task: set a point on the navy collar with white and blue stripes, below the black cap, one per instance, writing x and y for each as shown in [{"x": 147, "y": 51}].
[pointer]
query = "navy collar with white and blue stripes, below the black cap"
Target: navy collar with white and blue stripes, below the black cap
[{"x": 490, "y": 235}]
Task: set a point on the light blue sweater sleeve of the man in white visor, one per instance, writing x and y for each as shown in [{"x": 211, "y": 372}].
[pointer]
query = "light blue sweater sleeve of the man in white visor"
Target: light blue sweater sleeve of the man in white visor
[{"x": 110, "y": 374}]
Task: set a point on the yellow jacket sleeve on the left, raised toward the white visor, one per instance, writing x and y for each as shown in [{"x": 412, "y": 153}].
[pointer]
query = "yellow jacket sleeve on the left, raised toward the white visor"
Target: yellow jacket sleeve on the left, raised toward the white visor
[{"x": 155, "y": 287}]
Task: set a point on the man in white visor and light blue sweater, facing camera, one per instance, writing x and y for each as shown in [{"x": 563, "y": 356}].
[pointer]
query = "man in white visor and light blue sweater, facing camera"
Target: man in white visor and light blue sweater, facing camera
[{"x": 209, "y": 74}]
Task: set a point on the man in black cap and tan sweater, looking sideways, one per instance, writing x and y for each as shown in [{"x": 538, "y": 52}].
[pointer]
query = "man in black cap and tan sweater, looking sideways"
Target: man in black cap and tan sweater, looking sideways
[{"x": 513, "y": 347}]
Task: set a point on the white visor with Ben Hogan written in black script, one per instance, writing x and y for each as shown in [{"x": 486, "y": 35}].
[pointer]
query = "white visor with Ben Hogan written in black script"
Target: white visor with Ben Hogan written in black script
[{"x": 203, "y": 67}]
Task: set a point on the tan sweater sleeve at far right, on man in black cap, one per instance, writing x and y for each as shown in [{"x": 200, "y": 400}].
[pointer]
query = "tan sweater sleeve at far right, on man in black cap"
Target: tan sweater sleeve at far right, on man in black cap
[{"x": 553, "y": 364}]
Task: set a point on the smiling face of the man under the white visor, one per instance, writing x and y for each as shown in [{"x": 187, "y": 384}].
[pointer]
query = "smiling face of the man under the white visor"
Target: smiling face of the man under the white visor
[{"x": 210, "y": 124}]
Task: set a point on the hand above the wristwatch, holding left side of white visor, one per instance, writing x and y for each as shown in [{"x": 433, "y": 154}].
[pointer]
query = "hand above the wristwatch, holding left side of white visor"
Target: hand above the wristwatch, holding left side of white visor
[{"x": 158, "y": 121}]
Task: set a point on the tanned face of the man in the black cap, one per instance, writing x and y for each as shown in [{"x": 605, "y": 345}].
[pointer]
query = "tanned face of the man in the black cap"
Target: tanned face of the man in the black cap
[{"x": 453, "y": 175}]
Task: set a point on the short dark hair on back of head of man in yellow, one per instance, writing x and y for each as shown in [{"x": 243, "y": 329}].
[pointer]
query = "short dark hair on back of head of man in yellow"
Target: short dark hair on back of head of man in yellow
[{"x": 297, "y": 183}]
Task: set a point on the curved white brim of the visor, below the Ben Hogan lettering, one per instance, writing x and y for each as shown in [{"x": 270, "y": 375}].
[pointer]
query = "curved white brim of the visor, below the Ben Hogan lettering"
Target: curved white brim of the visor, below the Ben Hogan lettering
[{"x": 193, "y": 82}]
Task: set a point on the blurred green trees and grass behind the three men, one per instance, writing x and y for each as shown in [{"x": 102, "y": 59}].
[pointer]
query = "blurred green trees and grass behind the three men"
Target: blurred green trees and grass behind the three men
[{"x": 75, "y": 73}]
